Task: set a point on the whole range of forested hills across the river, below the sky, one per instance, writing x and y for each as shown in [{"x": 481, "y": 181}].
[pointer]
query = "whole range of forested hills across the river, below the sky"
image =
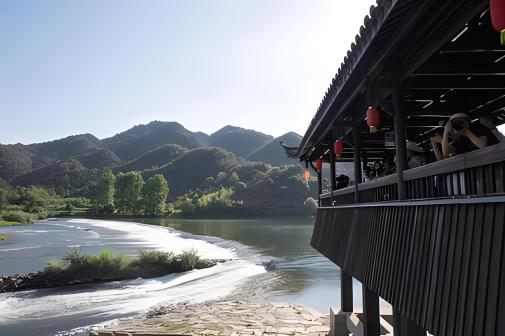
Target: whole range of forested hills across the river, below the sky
[{"x": 232, "y": 160}]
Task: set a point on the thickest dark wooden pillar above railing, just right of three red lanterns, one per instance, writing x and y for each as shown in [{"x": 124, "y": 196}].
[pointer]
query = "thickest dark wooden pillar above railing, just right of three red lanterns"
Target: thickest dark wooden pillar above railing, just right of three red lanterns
[{"x": 400, "y": 144}]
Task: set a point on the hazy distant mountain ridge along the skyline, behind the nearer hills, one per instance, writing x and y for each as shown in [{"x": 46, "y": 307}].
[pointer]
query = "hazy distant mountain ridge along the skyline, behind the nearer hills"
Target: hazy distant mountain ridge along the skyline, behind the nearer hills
[{"x": 140, "y": 147}]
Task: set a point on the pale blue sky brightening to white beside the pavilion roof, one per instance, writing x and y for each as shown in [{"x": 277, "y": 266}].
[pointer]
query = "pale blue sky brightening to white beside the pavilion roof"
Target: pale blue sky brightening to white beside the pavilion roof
[{"x": 101, "y": 67}]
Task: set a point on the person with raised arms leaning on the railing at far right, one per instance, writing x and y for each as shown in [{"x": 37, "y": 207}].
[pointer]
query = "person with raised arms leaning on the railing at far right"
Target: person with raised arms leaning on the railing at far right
[{"x": 462, "y": 136}]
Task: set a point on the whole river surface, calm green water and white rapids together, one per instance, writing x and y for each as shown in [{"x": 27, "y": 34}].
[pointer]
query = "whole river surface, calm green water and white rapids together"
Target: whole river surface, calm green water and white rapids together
[{"x": 283, "y": 244}]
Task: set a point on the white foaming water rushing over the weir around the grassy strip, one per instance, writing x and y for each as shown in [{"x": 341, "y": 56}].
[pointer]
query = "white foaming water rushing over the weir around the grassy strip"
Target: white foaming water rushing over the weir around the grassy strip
[{"x": 63, "y": 309}]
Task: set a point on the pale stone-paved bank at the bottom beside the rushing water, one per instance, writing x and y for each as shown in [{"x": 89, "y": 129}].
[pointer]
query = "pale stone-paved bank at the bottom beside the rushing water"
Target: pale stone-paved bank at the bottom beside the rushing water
[{"x": 223, "y": 318}]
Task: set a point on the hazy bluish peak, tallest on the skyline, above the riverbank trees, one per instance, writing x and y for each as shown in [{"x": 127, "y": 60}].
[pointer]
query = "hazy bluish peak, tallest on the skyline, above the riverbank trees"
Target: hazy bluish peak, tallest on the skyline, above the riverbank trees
[{"x": 140, "y": 139}]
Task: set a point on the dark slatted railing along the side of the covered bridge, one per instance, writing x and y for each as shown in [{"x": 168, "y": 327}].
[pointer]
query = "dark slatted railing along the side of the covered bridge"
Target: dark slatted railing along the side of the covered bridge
[{"x": 481, "y": 172}]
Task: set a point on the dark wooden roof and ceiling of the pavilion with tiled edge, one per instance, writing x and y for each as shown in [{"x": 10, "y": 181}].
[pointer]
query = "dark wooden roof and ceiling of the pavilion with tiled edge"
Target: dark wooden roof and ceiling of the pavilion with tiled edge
[{"x": 464, "y": 73}]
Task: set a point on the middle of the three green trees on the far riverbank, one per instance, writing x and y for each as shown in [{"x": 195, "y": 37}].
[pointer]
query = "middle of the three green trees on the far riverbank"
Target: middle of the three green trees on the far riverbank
[{"x": 128, "y": 191}]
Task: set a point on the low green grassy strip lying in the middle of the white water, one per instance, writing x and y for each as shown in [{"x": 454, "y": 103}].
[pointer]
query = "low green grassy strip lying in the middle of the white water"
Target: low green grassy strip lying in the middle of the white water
[{"x": 79, "y": 268}]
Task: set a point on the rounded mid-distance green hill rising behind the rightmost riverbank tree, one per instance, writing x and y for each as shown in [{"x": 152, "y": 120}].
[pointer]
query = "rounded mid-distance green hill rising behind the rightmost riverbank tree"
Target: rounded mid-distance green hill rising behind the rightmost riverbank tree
[{"x": 191, "y": 169}]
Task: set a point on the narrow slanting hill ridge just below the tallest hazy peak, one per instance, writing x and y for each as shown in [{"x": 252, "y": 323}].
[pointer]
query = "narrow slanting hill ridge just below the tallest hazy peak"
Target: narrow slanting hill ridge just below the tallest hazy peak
[{"x": 154, "y": 158}]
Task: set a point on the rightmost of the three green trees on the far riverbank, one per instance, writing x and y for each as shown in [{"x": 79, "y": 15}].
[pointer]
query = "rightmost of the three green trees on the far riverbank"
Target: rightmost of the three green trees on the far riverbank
[{"x": 154, "y": 195}]
